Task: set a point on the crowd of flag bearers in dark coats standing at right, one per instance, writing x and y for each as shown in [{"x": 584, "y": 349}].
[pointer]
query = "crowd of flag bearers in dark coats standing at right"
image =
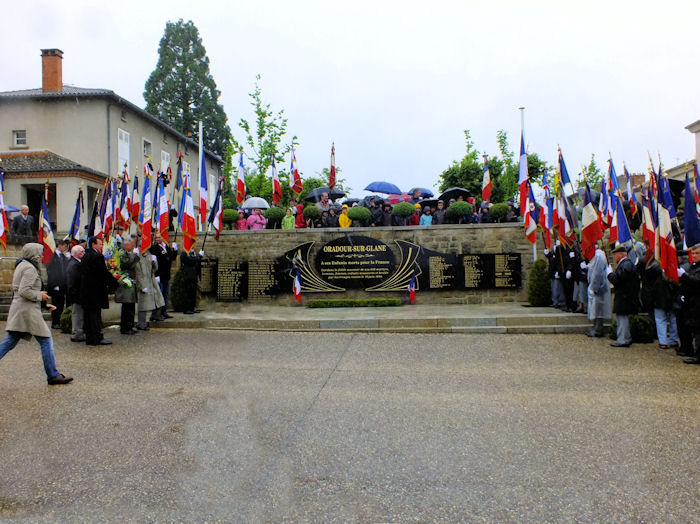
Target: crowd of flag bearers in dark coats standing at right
[{"x": 640, "y": 287}]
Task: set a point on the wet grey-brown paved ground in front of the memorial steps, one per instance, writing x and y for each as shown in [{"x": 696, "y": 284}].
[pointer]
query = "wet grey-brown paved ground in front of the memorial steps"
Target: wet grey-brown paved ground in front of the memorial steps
[{"x": 249, "y": 426}]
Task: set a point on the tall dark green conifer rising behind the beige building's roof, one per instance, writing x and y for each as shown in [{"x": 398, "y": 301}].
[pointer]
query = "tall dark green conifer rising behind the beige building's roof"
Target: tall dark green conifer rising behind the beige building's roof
[{"x": 181, "y": 90}]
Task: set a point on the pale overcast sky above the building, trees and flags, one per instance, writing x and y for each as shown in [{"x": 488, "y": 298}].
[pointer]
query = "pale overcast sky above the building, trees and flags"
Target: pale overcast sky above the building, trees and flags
[{"x": 394, "y": 84}]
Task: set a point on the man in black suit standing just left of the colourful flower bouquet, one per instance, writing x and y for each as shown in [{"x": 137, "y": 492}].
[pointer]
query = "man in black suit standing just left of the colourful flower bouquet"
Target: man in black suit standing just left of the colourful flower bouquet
[{"x": 94, "y": 291}]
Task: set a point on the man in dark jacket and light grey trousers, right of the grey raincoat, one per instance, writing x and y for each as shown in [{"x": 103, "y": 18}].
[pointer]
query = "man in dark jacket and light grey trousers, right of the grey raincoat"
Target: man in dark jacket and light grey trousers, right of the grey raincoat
[{"x": 626, "y": 281}]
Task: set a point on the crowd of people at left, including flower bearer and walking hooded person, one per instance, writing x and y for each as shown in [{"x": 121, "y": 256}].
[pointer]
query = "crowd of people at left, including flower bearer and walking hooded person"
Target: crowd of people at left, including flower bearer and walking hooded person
[{"x": 80, "y": 276}]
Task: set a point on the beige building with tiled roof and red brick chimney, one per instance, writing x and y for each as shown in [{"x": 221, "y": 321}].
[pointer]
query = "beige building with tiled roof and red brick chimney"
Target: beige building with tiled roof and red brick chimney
[{"x": 75, "y": 137}]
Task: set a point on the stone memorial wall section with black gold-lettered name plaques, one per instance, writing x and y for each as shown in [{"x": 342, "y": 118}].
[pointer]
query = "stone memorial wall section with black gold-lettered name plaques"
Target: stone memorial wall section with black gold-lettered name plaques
[{"x": 458, "y": 264}]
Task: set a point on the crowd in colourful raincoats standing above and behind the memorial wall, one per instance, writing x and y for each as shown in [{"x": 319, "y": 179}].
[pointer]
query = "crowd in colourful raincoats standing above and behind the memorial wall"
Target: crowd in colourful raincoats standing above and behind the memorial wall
[{"x": 426, "y": 213}]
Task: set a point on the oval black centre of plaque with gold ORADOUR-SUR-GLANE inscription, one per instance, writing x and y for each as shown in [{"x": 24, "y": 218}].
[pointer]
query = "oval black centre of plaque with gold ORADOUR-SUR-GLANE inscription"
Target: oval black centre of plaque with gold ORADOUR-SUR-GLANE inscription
[{"x": 354, "y": 262}]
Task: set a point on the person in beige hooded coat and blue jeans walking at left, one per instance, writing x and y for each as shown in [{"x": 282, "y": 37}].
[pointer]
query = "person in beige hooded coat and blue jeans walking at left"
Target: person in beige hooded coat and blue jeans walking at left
[{"x": 25, "y": 318}]
